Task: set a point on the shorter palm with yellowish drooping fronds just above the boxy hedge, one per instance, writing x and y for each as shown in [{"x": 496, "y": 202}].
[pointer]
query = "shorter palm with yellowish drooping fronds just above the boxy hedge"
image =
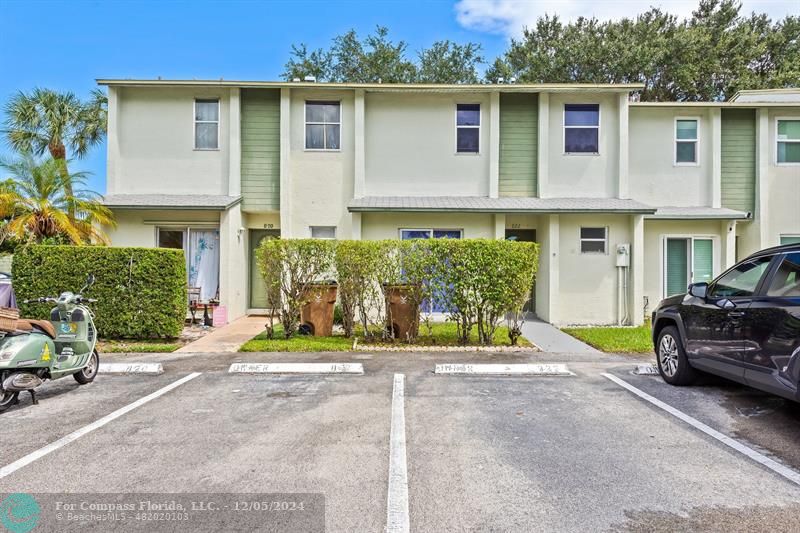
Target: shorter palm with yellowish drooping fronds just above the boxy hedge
[{"x": 35, "y": 201}]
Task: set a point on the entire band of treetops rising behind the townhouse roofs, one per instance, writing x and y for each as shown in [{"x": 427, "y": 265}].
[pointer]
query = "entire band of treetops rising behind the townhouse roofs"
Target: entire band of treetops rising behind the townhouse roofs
[{"x": 709, "y": 56}]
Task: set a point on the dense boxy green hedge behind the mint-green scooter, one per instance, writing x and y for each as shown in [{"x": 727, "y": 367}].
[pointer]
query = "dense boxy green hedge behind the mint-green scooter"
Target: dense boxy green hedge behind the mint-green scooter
[{"x": 140, "y": 292}]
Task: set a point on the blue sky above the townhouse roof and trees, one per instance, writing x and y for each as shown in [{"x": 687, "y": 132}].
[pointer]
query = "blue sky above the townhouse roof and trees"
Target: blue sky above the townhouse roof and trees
[{"x": 66, "y": 45}]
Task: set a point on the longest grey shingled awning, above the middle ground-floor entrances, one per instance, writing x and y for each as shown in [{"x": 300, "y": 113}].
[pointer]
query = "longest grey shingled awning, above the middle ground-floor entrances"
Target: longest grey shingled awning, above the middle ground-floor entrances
[{"x": 481, "y": 204}]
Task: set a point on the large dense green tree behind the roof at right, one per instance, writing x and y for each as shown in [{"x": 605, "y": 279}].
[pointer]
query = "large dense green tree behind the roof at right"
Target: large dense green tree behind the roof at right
[{"x": 709, "y": 56}]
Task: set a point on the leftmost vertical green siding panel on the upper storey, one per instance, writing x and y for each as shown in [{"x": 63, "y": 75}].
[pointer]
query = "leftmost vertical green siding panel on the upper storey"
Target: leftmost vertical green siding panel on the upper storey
[{"x": 261, "y": 125}]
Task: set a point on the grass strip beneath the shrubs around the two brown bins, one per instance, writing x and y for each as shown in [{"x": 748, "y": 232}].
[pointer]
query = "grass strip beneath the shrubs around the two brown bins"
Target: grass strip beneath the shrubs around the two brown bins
[{"x": 442, "y": 334}]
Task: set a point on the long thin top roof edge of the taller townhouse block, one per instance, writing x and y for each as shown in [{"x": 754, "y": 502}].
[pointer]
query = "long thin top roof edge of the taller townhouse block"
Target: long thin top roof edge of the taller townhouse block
[{"x": 382, "y": 87}]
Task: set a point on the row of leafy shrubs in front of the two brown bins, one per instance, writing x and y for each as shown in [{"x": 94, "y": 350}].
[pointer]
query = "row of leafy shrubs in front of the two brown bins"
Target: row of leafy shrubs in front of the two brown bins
[{"x": 477, "y": 282}]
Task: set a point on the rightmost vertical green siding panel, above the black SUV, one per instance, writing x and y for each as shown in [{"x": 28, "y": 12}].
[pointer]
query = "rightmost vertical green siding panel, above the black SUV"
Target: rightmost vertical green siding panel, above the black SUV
[{"x": 738, "y": 159}]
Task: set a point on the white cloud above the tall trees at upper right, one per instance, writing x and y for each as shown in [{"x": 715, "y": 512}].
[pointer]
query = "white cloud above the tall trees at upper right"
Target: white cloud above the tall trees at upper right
[{"x": 510, "y": 16}]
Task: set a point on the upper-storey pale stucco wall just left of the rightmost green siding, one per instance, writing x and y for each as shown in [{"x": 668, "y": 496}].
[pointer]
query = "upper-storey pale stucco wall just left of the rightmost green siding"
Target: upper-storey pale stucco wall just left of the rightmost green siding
[{"x": 655, "y": 179}]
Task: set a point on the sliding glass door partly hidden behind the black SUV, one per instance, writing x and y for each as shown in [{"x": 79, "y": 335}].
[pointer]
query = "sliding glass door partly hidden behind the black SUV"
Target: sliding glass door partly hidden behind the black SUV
[{"x": 687, "y": 260}]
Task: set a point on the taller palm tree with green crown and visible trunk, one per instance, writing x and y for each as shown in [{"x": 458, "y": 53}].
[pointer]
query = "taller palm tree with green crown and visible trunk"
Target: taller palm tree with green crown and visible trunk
[{"x": 47, "y": 120}]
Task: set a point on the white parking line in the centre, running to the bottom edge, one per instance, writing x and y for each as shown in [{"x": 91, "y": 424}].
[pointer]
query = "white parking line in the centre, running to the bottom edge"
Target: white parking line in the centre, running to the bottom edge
[{"x": 397, "y": 520}]
